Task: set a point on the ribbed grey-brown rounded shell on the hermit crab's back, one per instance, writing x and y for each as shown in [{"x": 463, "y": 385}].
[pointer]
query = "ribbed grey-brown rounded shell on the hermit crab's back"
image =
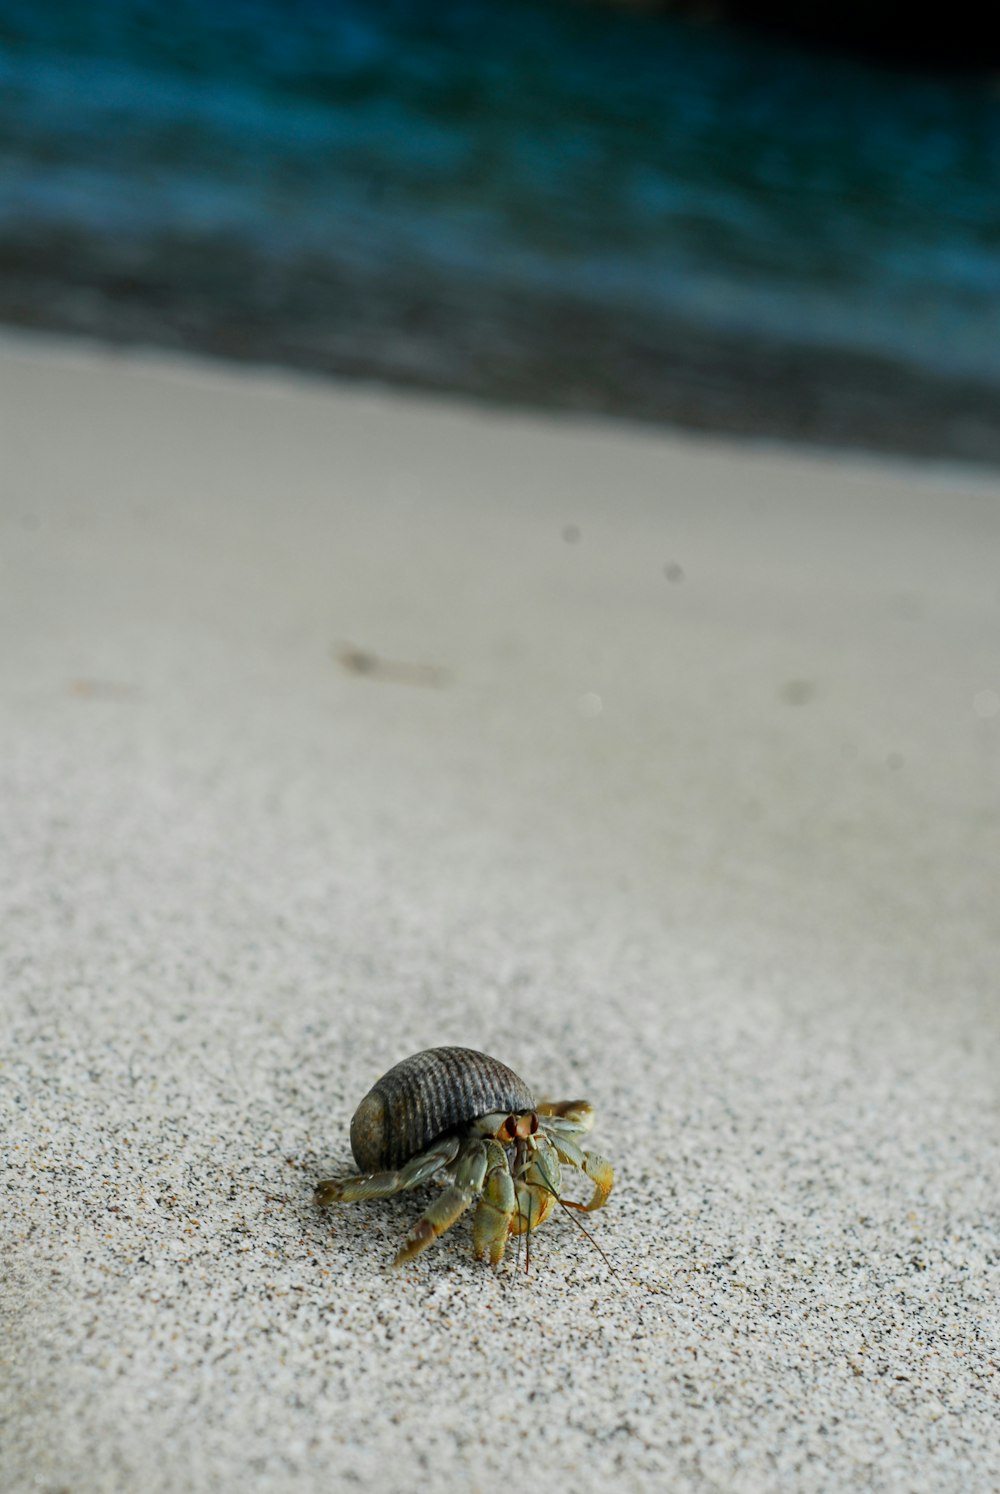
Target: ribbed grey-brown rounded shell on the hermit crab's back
[{"x": 427, "y": 1096}]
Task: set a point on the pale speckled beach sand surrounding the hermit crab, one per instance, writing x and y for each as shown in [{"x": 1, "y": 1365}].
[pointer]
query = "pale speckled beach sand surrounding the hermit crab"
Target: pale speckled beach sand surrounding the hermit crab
[{"x": 720, "y": 852}]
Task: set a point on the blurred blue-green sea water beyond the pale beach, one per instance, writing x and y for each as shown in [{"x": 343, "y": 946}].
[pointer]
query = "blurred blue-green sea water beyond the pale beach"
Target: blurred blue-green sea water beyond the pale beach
[{"x": 525, "y": 199}]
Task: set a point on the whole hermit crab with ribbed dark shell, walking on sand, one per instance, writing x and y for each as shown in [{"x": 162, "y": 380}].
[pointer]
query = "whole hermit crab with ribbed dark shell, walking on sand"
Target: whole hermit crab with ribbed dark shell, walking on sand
[{"x": 469, "y": 1120}]
